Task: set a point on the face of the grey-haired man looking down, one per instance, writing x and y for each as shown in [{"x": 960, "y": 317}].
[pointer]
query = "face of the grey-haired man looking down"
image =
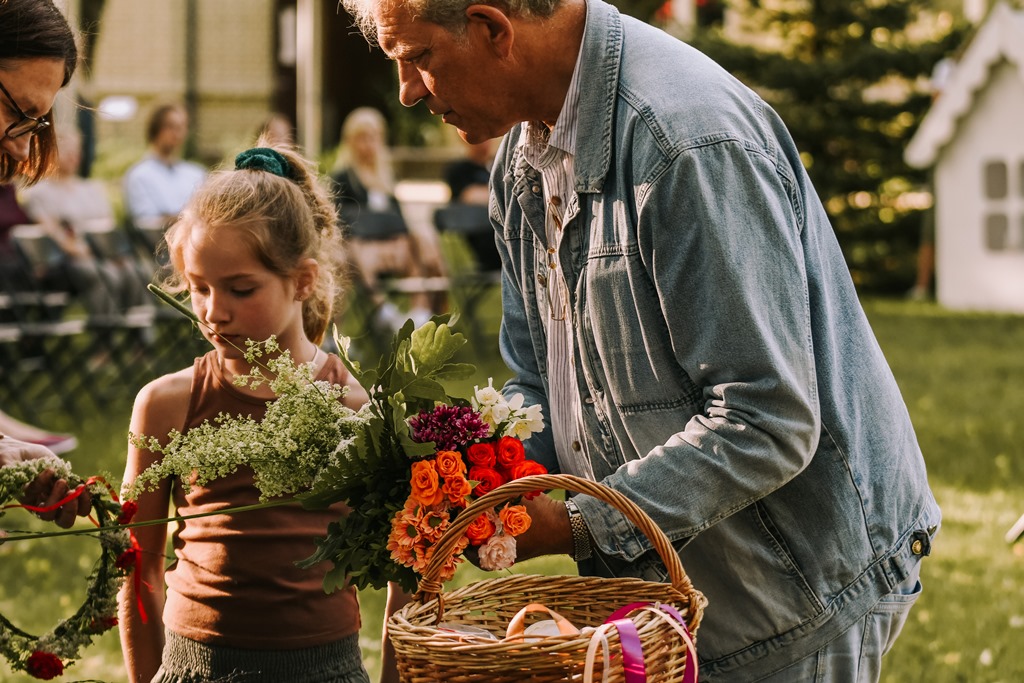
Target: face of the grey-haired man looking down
[{"x": 458, "y": 78}]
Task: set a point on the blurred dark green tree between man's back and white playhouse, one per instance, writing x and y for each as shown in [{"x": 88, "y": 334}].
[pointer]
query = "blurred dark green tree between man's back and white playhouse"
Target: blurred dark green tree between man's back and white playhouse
[{"x": 850, "y": 79}]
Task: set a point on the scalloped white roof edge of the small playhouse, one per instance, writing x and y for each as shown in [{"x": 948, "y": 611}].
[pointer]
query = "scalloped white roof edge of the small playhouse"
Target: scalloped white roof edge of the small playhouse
[{"x": 1001, "y": 37}]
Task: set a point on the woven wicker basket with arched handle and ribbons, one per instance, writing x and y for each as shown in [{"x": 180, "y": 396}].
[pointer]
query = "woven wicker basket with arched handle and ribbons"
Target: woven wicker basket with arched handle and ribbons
[{"x": 426, "y": 653}]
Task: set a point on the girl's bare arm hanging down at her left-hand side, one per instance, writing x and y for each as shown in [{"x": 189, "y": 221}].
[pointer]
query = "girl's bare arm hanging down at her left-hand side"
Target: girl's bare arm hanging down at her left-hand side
[{"x": 159, "y": 408}]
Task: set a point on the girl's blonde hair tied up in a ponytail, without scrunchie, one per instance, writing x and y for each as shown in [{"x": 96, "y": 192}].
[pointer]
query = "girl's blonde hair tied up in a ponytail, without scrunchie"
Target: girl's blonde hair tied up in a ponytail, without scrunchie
[{"x": 284, "y": 221}]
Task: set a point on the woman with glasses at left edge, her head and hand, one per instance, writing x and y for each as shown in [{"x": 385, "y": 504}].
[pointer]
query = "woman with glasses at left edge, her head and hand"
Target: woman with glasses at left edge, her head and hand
[{"x": 38, "y": 57}]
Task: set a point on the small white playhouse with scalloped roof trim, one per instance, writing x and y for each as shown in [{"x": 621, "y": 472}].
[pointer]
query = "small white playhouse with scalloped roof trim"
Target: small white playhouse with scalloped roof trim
[{"x": 974, "y": 139}]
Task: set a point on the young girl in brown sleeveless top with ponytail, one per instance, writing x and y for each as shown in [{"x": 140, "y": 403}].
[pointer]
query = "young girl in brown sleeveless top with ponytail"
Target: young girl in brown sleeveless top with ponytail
[{"x": 255, "y": 249}]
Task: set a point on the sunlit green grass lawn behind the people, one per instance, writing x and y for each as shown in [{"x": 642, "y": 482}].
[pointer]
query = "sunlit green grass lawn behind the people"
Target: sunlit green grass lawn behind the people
[{"x": 960, "y": 375}]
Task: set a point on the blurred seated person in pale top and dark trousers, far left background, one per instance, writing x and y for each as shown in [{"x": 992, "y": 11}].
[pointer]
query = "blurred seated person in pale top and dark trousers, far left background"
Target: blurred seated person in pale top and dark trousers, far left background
[{"x": 68, "y": 206}]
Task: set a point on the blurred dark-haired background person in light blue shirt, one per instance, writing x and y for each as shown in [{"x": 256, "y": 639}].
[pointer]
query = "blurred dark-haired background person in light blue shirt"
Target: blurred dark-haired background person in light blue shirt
[{"x": 157, "y": 188}]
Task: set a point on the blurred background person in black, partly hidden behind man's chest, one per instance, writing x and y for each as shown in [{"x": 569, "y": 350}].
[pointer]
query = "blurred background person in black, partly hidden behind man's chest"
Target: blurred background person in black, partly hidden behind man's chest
[{"x": 467, "y": 179}]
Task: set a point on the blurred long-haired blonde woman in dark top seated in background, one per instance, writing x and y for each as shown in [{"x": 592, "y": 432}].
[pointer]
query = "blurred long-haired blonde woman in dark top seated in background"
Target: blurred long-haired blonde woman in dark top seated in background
[{"x": 380, "y": 242}]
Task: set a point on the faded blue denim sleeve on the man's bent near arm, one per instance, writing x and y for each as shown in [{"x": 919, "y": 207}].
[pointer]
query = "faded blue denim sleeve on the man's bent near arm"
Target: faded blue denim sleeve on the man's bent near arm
[{"x": 731, "y": 285}]
